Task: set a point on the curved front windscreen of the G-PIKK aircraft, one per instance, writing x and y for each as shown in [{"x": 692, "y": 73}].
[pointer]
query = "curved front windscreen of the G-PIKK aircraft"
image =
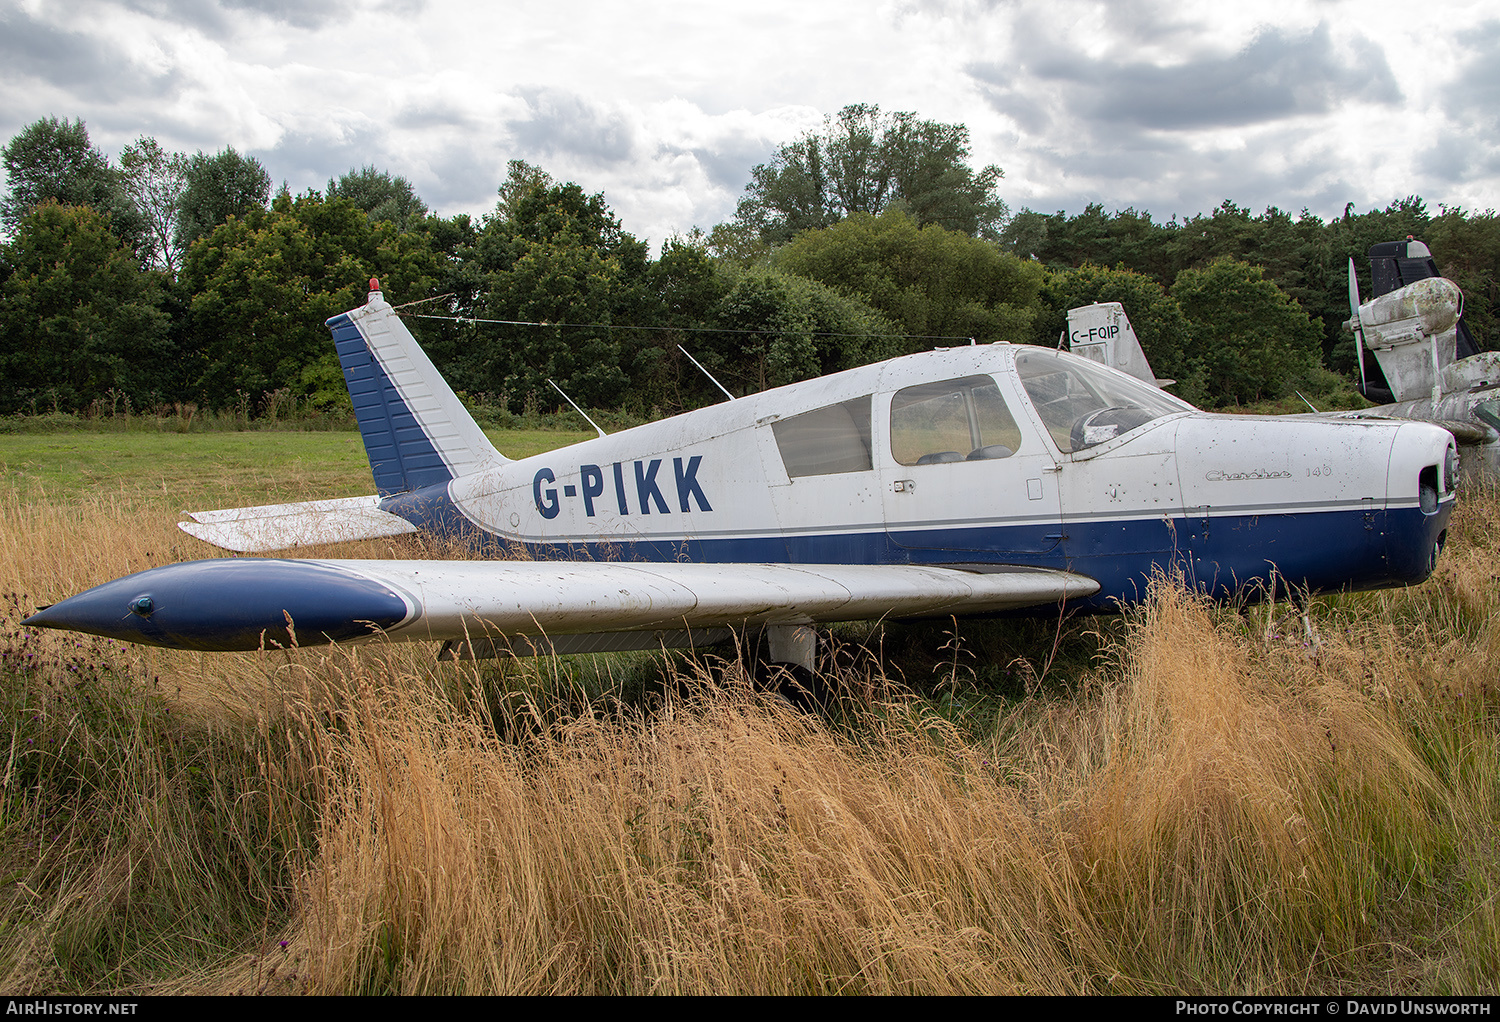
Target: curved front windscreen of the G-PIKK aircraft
[{"x": 1084, "y": 404}]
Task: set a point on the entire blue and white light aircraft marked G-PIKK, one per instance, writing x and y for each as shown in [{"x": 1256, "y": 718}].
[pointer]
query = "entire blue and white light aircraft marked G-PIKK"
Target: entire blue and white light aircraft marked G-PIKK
[{"x": 961, "y": 481}]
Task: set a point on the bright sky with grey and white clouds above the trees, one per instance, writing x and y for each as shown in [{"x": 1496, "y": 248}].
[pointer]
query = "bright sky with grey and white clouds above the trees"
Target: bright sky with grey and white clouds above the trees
[{"x": 665, "y": 106}]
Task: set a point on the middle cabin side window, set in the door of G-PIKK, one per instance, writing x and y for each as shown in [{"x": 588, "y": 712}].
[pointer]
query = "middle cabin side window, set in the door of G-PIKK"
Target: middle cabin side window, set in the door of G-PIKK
[{"x": 953, "y": 421}]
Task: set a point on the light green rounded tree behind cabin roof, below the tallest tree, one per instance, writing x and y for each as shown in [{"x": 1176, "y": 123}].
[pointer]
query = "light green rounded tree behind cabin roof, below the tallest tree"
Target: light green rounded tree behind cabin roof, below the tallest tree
[{"x": 932, "y": 283}]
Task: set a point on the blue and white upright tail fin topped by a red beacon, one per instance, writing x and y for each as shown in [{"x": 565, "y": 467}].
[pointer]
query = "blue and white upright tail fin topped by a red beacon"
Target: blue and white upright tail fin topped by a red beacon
[{"x": 416, "y": 430}]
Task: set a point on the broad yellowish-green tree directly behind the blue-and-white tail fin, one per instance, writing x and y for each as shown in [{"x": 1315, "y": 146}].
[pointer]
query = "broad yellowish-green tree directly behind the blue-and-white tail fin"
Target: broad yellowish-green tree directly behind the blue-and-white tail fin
[{"x": 265, "y": 284}]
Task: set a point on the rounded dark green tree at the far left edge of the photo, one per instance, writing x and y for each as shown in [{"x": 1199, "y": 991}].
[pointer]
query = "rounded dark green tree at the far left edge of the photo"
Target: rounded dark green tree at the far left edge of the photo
[{"x": 79, "y": 319}]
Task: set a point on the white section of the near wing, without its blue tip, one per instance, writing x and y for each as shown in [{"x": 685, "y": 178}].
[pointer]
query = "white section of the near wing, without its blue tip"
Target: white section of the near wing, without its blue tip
[{"x": 458, "y": 600}]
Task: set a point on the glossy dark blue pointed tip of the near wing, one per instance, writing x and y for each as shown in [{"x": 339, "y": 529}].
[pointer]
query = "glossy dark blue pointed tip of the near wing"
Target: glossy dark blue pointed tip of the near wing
[{"x": 230, "y": 604}]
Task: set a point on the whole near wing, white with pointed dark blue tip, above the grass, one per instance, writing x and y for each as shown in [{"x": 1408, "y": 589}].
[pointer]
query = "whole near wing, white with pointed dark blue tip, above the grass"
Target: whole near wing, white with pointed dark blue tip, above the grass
[{"x": 244, "y": 604}]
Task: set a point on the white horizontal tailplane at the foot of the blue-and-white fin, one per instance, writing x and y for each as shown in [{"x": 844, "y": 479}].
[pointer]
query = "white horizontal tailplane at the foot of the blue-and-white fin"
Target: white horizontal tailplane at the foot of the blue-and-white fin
[{"x": 274, "y": 528}]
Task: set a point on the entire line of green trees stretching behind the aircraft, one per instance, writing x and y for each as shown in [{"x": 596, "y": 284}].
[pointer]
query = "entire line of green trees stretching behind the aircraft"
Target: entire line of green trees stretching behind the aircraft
[{"x": 179, "y": 278}]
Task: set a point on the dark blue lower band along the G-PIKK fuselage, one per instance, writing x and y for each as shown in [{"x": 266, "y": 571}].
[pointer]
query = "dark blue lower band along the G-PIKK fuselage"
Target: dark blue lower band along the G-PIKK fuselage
[{"x": 1316, "y": 550}]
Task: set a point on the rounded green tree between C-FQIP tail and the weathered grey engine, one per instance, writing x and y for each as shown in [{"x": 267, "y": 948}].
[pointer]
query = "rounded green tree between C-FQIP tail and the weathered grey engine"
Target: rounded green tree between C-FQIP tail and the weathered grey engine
[{"x": 1250, "y": 337}]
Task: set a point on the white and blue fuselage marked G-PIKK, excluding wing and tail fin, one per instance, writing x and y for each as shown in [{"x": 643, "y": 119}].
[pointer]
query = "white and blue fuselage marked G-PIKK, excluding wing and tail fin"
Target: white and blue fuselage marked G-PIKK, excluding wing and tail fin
[{"x": 890, "y": 464}]
